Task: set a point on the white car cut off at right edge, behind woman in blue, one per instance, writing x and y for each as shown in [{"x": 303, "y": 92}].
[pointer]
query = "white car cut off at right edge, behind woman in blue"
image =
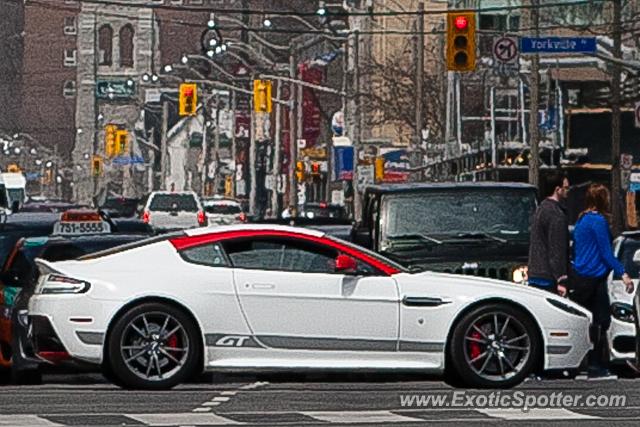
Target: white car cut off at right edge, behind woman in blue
[{"x": 622, "y": 332}]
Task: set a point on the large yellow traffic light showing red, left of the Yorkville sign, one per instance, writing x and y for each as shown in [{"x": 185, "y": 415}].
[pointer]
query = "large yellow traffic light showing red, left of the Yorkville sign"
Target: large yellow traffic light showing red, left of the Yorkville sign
[{"x": 461, "y": 41}]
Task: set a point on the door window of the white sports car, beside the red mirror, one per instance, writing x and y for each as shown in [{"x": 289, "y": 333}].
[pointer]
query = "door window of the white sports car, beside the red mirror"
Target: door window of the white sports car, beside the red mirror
[{"x": 281, "y": 255}]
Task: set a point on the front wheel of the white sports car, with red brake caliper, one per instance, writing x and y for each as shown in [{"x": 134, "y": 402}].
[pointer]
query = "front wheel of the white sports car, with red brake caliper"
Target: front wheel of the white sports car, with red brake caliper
[{"x": 482, "y": 358}]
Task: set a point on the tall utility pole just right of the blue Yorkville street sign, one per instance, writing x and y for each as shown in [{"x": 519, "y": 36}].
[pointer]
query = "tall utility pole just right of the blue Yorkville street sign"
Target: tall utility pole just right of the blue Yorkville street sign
[{"x": 616, "y": 184}]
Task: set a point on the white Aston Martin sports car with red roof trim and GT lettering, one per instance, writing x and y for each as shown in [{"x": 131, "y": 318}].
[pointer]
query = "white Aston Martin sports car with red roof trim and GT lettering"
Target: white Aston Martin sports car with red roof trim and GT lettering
[{"x": 250, "y": 297}]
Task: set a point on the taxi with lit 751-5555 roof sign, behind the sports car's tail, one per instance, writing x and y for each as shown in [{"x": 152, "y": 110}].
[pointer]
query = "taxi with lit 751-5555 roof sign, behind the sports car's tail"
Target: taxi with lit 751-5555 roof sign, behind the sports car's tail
[{"x": 19, "y": 271}]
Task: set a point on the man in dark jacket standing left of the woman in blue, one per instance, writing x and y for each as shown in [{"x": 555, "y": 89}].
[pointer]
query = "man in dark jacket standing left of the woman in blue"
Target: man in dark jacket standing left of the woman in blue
[{"x": 549, "y": 247}]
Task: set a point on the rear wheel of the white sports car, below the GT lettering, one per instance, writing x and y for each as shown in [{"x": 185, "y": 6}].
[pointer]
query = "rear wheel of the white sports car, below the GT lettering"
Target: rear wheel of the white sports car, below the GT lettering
[{"x": 153, "y": 346}]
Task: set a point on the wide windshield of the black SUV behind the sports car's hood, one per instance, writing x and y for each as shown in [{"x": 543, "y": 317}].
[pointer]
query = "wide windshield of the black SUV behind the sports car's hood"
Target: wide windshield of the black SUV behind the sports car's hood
[{"x": 458, "y": 213}]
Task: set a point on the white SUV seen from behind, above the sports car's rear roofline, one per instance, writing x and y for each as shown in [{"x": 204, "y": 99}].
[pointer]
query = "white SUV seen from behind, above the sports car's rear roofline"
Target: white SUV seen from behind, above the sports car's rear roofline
[{"x": 173, "y": 210}]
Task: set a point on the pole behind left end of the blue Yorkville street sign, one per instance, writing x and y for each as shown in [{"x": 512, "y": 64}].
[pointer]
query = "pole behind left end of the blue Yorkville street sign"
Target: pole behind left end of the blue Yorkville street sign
[{"x": 534, "y": 92}]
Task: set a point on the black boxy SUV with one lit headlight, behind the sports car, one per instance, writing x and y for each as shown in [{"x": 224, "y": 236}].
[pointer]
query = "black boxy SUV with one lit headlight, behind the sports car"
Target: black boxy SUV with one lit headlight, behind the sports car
[{"x": 476, "y": 228}]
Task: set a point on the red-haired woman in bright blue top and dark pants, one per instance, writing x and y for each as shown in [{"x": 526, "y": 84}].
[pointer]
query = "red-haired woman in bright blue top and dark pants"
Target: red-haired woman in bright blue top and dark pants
[{"x": 592, "y": 262}]
